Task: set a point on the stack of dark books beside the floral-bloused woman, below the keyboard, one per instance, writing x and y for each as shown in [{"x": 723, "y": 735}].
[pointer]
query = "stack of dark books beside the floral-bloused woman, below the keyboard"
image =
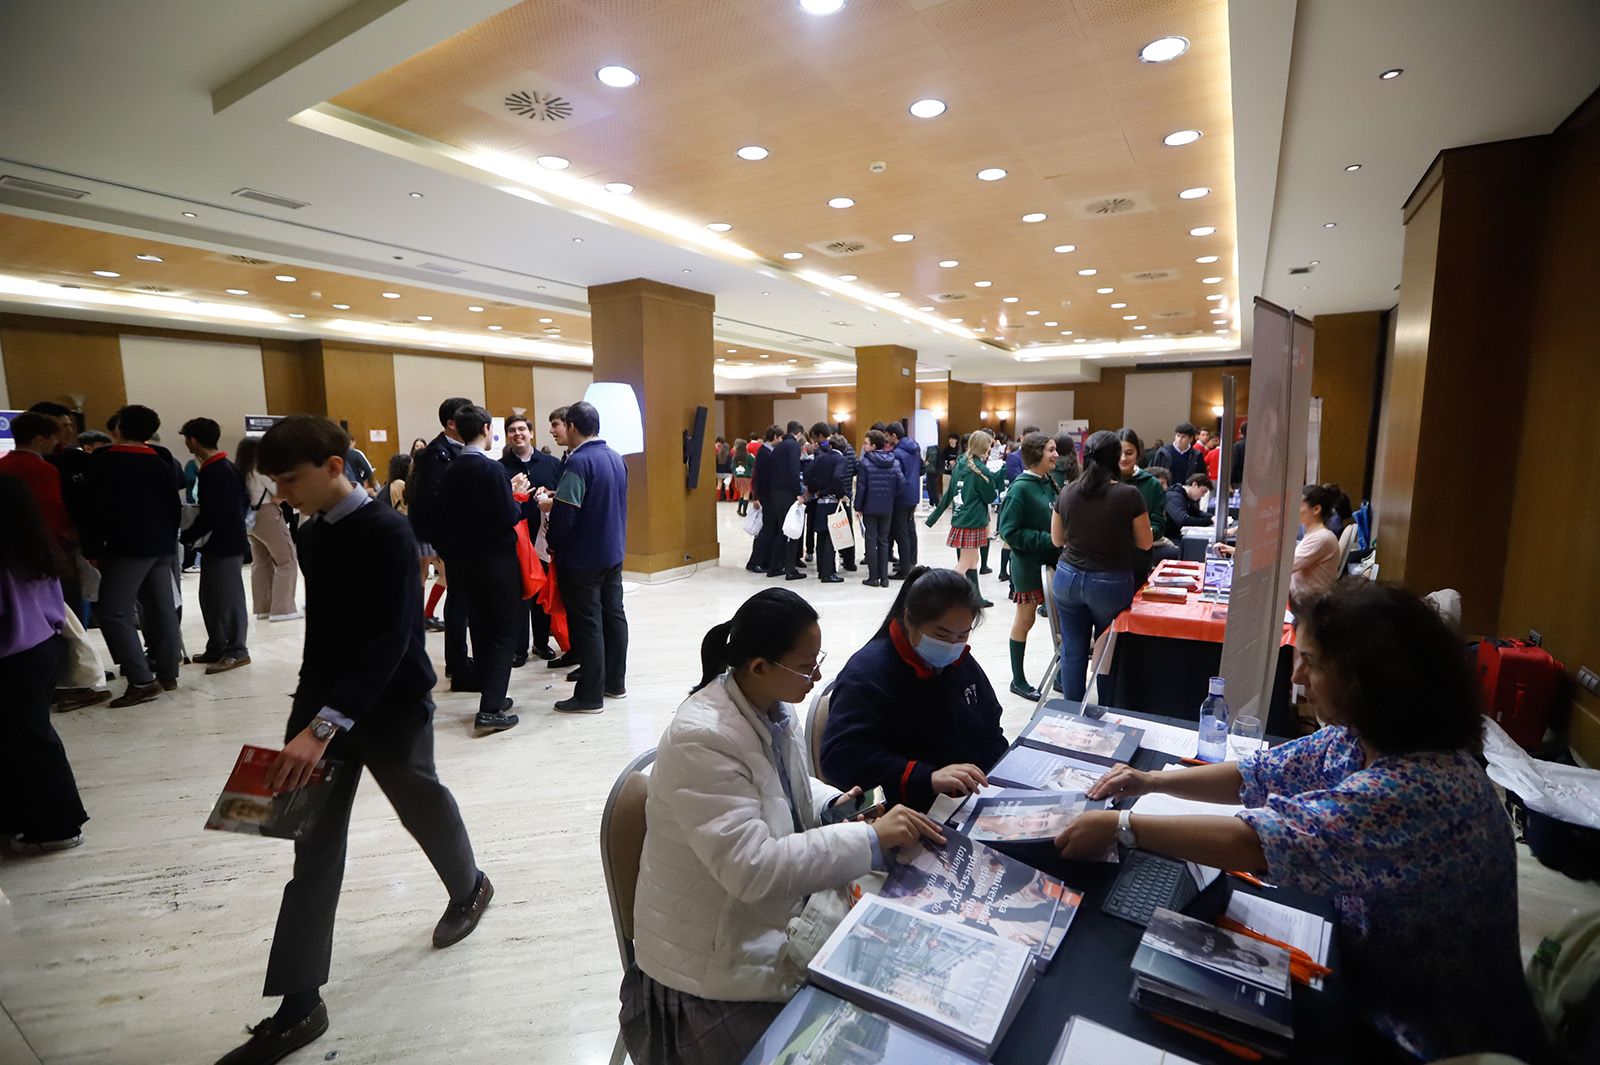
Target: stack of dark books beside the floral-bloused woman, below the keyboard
[{"x": 1230, "y": 986}]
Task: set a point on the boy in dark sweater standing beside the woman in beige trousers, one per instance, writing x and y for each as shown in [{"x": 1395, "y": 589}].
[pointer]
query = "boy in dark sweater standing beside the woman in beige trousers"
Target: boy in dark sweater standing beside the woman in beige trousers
[{"x": 220, "y": 535}]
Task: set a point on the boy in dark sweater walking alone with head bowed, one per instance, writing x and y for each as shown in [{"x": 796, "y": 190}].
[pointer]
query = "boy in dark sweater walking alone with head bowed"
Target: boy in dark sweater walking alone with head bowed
[{"x": 364, "y": 701}]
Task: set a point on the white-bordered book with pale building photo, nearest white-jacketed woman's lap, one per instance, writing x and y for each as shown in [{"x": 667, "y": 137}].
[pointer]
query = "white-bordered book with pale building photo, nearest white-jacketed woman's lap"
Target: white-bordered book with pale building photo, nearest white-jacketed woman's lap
[{"x": 958, "y": 984}]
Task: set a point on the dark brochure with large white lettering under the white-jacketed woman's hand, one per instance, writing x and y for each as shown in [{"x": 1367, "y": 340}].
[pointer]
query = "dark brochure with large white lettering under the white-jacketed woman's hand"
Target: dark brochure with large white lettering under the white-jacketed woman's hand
[{"x": 982, "y": 888}]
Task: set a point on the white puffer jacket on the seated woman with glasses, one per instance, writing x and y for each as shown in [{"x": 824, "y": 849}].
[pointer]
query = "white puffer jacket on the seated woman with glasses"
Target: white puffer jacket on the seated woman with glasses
[{"x": 724, "y": 869}]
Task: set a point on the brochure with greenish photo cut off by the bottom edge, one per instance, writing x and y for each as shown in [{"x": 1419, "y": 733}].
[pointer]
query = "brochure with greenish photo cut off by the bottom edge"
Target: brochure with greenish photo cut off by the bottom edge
[{"x": 820, "y": 1029}]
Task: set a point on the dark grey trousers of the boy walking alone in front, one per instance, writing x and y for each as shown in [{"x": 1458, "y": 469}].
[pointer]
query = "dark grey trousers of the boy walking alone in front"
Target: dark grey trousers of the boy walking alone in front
[{"x": 396, "y": 743}]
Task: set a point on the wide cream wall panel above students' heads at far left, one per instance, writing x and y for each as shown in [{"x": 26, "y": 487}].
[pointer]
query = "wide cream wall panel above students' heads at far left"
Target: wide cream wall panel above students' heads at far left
[{"x": 185, "y": 380}]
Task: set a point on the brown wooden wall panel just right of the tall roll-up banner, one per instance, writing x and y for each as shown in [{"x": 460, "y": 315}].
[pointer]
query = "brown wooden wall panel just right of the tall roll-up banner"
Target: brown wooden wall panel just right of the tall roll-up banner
[{"x": 1343, "y": 378}]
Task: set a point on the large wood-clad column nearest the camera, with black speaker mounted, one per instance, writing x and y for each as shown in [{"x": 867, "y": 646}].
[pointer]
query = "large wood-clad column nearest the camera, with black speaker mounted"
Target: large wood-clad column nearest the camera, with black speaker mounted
[{"x": 658, "y": 340}]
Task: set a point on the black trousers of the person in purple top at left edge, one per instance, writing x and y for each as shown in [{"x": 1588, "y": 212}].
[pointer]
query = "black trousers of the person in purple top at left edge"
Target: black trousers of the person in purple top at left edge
[{"x": 39, "y": 796}]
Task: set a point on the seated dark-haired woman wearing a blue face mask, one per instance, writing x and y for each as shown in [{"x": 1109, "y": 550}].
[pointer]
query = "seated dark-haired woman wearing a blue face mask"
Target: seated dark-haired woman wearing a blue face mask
[{"x": 913, "y": 711}]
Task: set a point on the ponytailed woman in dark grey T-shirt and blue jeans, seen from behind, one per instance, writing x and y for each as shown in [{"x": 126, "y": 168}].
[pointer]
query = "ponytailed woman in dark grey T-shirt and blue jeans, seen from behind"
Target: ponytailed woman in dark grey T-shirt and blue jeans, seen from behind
[{"x": 1103, "y": 527}]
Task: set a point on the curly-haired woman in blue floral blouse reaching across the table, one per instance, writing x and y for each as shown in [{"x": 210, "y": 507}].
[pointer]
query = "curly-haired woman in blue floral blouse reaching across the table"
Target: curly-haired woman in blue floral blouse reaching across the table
[{"x": 1388, "y": 812}]
